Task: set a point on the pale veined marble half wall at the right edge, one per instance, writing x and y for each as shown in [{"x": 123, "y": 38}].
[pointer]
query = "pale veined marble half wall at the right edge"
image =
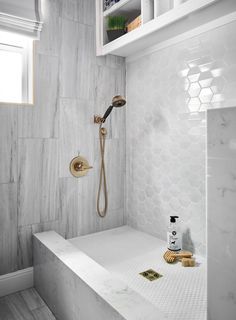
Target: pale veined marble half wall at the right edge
[{"x": 221, "y": 214}]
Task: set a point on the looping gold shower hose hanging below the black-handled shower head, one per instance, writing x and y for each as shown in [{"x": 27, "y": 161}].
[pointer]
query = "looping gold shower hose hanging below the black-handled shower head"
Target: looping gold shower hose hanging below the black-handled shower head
[{"x": 102, "y": 178}]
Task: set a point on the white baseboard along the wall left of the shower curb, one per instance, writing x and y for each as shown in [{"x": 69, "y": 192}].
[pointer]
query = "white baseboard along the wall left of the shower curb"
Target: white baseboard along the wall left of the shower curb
[{"x": 16, "y": 281}]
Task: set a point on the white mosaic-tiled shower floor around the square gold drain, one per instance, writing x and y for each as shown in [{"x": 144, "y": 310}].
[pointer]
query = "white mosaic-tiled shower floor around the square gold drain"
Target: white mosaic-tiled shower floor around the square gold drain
[{"x": 125, "y": 252}]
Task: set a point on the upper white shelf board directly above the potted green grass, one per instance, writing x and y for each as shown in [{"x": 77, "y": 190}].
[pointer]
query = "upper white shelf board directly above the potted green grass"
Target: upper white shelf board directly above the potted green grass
[{"x": 123, "y": 6}]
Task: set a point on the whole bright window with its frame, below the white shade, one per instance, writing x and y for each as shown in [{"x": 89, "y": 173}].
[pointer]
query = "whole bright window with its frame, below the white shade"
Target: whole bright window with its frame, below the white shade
[{"x": 16, "y": 68}]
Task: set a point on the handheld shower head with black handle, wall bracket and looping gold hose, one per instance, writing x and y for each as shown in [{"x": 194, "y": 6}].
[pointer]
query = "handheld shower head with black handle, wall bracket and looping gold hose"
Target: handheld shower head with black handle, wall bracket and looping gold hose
[{"x": 117, "y": 101}]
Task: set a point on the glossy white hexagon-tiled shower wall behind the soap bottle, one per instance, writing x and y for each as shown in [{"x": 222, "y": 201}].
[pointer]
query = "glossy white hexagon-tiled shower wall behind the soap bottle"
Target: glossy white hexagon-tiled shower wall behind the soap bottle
[{"x": 168, "y": 92}]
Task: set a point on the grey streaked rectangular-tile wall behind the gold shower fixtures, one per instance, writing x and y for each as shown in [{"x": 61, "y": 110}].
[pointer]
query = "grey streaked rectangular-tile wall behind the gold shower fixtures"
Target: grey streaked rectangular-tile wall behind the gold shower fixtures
[{"x": 38, "y": 142}]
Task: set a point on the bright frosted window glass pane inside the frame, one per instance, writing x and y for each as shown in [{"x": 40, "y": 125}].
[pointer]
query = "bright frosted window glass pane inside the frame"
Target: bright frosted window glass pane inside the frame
[{"x": 11, "y": 64}]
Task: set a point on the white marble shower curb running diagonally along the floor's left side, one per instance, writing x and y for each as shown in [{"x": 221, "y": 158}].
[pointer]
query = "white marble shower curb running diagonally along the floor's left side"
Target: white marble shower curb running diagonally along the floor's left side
[{"x": 72, "y": 274}]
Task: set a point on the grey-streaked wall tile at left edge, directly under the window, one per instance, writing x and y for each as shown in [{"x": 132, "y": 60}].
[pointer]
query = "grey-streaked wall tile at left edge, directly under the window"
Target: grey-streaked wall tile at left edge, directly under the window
[{"x": 8, "y": 144}]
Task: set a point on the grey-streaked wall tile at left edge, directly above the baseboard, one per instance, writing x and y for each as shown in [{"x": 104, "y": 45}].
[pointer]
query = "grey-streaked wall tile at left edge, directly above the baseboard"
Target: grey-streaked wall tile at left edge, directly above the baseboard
[{"x": 8, "y": 228}]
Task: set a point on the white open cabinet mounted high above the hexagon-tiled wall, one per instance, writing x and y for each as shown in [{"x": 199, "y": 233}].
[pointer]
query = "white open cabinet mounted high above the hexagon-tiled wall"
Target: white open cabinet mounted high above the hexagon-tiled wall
[{"x": 161, "y": 21}]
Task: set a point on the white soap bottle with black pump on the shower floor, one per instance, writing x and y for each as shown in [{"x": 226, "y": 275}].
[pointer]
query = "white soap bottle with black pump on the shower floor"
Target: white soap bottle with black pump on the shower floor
[{"x": 174, "y": 236}]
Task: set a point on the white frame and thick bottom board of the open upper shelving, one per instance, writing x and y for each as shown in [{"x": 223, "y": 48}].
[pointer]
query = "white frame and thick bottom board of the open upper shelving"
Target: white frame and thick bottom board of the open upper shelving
[{"x": 184, "y": 18}]
